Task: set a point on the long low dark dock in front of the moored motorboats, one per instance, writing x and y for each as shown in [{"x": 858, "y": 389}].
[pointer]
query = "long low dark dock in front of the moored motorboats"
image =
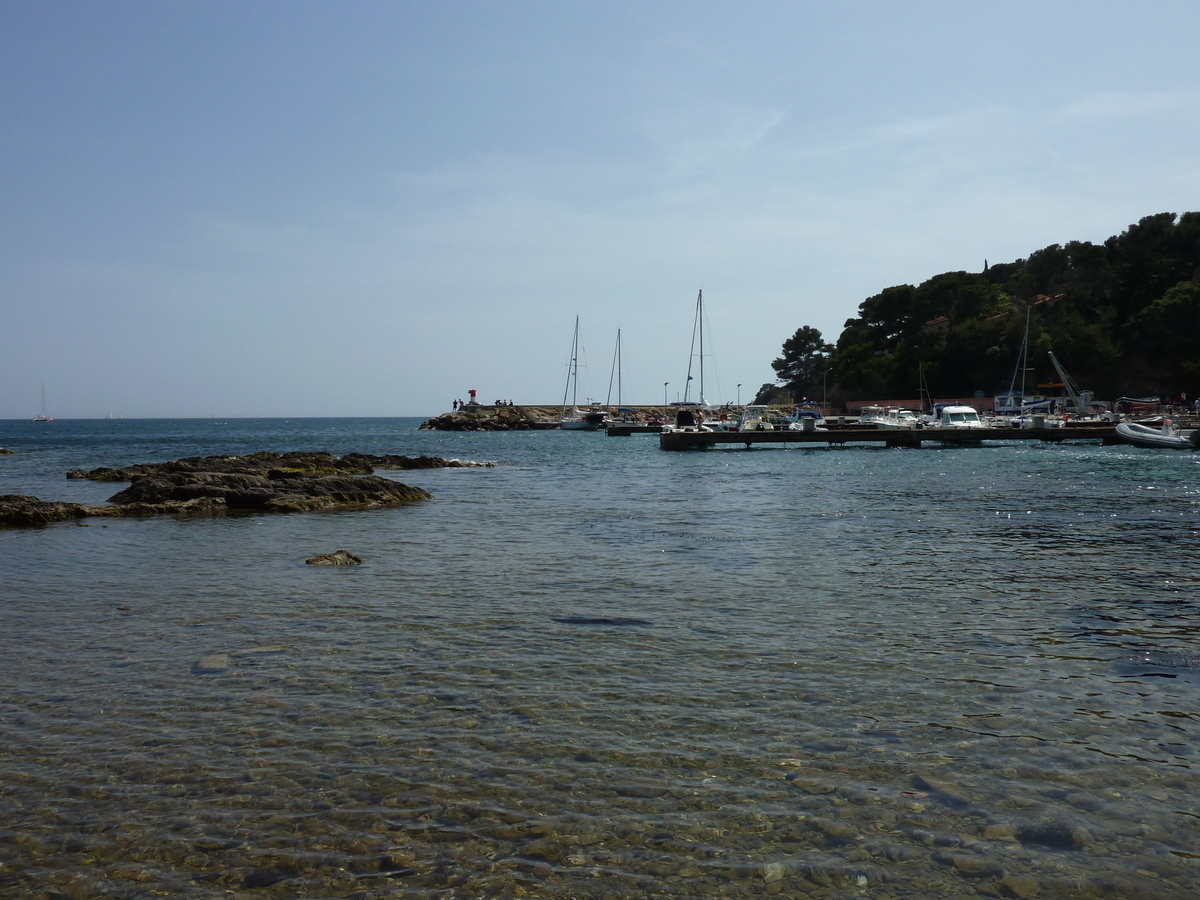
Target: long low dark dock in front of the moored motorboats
[{"x": 903, "y": 439}]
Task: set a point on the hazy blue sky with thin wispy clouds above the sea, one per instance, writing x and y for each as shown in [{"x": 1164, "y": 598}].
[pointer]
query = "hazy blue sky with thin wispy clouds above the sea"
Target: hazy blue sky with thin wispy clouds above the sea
[{"x": 292, "y": 209}]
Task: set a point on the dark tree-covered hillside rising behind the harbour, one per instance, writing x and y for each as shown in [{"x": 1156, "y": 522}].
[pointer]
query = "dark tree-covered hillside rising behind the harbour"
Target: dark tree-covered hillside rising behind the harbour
[{"x": 1124, "y": 317}]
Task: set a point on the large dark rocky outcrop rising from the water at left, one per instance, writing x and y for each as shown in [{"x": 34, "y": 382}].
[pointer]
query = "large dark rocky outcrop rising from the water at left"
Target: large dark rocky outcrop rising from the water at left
[{"x": 220, "y": 485}]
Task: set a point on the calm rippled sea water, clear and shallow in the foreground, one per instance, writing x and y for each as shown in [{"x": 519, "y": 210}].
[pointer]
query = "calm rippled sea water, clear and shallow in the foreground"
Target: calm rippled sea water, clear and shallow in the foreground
[{"x": 599, "y": 670}]
